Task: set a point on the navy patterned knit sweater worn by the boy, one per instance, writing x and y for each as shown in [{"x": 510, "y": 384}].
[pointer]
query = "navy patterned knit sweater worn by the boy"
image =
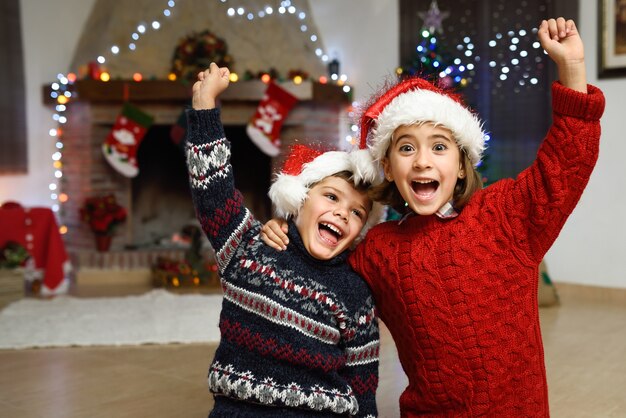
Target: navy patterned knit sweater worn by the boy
[{"x": 298, "y": 335}]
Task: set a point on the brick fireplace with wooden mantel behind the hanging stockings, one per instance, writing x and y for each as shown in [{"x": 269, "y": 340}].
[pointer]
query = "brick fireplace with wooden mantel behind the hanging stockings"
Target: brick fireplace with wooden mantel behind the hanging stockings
[{"x": 158, "y": 198}]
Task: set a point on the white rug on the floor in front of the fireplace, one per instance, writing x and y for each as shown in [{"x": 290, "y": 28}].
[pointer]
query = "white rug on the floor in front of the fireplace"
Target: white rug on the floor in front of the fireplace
[{"x": 156, "y": 317}]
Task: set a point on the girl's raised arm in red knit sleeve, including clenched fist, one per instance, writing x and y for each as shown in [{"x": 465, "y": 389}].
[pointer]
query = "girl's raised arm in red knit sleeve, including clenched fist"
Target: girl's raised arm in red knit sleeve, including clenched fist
[{"x": 542, "y": 197}]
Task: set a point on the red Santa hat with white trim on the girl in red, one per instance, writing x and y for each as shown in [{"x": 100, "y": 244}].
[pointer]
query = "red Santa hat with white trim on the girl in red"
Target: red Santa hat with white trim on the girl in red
[{"x": 416, "y": 100}]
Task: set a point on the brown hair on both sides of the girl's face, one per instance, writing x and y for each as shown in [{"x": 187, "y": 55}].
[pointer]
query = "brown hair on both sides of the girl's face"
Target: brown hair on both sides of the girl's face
[{"x": 387, "y": 193}]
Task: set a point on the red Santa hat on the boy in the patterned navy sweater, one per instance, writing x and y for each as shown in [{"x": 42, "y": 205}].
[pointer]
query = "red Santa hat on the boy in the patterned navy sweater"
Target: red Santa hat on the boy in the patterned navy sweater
[{"x": 305, "y": 166}]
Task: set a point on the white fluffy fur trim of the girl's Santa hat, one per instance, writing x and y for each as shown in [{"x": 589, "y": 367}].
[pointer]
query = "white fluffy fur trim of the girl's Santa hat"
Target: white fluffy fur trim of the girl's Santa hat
[{"x": 423, "y": 105}]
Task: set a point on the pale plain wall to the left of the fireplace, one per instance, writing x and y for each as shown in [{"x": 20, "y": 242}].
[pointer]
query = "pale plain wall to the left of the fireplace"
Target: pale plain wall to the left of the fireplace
[{"x": 50, "y": 31}]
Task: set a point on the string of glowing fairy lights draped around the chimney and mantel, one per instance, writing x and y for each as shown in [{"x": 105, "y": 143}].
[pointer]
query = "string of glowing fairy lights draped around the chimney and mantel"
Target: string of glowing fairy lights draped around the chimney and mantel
[{"x": 61, "y": 92}]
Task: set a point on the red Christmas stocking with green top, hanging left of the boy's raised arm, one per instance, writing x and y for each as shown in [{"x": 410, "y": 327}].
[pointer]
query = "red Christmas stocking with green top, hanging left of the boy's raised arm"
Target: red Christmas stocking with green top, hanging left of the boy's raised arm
[{"x": 120, "y": 146}]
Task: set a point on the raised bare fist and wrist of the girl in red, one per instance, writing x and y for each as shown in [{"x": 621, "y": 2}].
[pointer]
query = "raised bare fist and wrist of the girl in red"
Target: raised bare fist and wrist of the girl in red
[{"x": 561, "y": 40}]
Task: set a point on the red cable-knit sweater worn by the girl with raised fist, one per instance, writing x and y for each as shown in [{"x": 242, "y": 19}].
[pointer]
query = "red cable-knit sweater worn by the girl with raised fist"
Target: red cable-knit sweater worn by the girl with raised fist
[{"x": 460, "y": 295}]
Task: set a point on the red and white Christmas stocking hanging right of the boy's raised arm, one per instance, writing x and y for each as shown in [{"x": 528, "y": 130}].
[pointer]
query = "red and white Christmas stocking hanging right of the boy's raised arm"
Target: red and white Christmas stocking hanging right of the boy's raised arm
[{"x": 264, "y": 127}]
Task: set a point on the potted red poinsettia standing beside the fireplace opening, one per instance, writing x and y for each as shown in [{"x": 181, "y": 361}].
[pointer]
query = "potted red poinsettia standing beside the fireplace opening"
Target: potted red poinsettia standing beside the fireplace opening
[{"x": 103, "y": 214}]
